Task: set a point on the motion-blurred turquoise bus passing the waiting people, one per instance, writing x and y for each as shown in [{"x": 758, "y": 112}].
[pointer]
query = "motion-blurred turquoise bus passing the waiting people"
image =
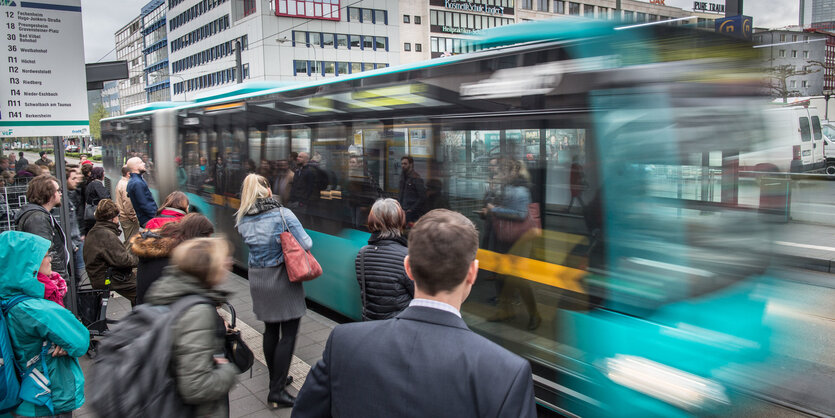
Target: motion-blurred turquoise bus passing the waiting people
[{"x": 646, "y": 291}]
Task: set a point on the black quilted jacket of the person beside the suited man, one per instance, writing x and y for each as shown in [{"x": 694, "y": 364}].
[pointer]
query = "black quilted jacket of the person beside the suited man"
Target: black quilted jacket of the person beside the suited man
[{"x": 386, "y": 289}]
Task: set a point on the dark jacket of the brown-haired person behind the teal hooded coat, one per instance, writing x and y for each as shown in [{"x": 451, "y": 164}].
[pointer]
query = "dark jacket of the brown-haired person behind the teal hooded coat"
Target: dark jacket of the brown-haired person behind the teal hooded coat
[{"x": 34, "y": 219}]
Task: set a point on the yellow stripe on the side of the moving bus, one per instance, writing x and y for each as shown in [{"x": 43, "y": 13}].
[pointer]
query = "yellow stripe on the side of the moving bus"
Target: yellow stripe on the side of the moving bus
[{"x": 534, "y": 270}]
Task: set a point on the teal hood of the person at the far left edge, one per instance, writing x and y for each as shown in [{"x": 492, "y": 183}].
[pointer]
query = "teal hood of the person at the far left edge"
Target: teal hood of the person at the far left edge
[{"x": 20, "y": 260}]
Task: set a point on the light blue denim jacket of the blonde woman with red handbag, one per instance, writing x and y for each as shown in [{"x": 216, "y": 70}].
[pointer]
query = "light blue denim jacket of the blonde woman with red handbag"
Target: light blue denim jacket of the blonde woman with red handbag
[{"x": 261, "y": 227}]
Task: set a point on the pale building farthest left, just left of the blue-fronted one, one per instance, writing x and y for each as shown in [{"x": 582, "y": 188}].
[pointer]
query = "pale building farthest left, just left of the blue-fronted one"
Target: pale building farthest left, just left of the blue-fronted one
[{"x": 129, "y": 45}]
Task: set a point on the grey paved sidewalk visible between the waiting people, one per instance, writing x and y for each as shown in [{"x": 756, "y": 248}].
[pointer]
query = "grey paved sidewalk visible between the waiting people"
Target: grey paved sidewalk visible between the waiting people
[{"x": 248, "y": 398}]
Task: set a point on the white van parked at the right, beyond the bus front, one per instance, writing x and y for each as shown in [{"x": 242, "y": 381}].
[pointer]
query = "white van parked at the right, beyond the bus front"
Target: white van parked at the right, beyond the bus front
[{"x": 795, "y": 145}]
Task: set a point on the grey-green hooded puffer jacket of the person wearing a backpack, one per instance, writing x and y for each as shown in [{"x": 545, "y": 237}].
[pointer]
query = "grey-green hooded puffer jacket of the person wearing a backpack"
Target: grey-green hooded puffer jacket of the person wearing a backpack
[{"x": 198, "y": 336}]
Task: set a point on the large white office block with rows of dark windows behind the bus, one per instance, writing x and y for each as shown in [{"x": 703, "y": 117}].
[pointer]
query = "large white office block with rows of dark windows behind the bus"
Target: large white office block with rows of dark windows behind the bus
[{"x": 280, "y": 40}]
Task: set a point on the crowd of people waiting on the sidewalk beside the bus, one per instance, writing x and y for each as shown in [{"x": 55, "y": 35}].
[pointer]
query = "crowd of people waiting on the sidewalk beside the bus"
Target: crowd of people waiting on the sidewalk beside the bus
[{"x": 159, "y": 255}]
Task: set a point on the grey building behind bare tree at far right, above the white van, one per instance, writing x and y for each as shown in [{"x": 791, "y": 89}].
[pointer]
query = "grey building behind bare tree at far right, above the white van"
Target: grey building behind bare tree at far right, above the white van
[{"x": 796, "y": 60}]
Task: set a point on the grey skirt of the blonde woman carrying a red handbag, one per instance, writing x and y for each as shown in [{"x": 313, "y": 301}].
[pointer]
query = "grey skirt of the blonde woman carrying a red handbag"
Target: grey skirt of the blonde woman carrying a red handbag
[{"x": 274, "y": 297}]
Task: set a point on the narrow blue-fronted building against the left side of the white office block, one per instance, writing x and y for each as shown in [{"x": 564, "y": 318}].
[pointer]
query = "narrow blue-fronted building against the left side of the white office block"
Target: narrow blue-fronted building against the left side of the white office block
[{"x": 155, "y": 51}]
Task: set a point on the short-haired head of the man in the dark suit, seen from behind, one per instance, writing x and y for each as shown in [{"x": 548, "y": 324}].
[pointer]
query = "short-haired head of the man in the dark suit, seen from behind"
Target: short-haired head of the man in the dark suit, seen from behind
[{"x": 442, "y": 245}]
